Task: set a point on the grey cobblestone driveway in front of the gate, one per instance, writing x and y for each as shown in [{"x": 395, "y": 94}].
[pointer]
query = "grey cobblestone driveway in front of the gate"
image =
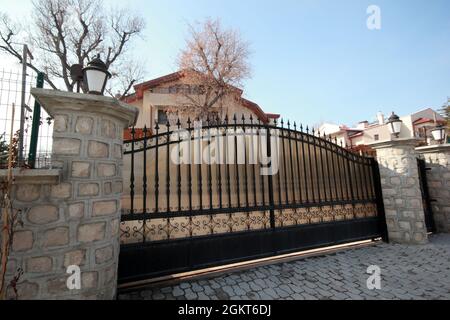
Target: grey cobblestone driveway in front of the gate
[{"x": 407, "y": 272}]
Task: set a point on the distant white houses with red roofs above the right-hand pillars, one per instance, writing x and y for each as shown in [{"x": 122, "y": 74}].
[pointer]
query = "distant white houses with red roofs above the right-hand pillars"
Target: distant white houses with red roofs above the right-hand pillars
[{"x": 418, "y": 124}]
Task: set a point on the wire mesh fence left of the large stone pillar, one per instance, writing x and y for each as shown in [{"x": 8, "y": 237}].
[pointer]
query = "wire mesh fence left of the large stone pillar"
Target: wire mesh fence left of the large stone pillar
[{"x": 12, "y": 85}]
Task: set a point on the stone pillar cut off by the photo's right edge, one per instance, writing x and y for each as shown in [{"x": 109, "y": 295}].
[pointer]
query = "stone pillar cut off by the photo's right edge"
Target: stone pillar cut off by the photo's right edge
[{"x": 437, "y": 158}]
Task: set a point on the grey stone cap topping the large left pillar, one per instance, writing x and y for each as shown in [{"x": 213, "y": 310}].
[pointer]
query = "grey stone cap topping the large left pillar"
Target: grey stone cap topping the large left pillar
[{"x": 53, "y": 101}]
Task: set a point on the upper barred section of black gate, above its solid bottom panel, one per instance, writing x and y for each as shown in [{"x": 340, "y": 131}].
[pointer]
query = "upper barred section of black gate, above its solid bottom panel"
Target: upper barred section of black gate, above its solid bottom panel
[{"x": 312, "y": 173}]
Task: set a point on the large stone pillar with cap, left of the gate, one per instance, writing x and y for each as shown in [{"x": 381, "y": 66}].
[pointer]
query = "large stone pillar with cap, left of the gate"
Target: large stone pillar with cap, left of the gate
[{"x": 76, "y": 220}]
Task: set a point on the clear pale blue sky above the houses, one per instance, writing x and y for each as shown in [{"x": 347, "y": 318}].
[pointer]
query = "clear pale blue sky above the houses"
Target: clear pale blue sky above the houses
[{"x": 313, "y": 60}]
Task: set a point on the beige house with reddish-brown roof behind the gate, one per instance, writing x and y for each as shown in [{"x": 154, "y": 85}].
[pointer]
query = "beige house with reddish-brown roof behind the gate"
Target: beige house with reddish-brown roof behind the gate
[{"x": 159, "y": 101}]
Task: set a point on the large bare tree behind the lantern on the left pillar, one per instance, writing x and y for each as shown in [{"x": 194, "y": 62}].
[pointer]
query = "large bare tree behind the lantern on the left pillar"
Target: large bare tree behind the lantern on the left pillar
[{"x": 66, "y": 32}]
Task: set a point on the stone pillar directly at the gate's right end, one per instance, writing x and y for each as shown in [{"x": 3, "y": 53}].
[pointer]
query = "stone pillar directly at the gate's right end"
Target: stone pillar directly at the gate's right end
[{"x": 402, "y": 196}]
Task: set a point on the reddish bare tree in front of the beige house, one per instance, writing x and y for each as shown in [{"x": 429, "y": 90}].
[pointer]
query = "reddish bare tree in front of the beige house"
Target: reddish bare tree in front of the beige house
[{"x": 215, "y": 61}]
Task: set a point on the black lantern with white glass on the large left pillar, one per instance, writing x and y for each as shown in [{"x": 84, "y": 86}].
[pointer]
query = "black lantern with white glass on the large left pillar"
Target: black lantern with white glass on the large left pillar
[{"x": 95, "y": 76}]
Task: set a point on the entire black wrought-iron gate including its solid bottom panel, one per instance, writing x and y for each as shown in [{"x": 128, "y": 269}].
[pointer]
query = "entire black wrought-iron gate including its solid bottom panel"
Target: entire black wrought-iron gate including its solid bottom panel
[{"x": 257, "y": 191}]
